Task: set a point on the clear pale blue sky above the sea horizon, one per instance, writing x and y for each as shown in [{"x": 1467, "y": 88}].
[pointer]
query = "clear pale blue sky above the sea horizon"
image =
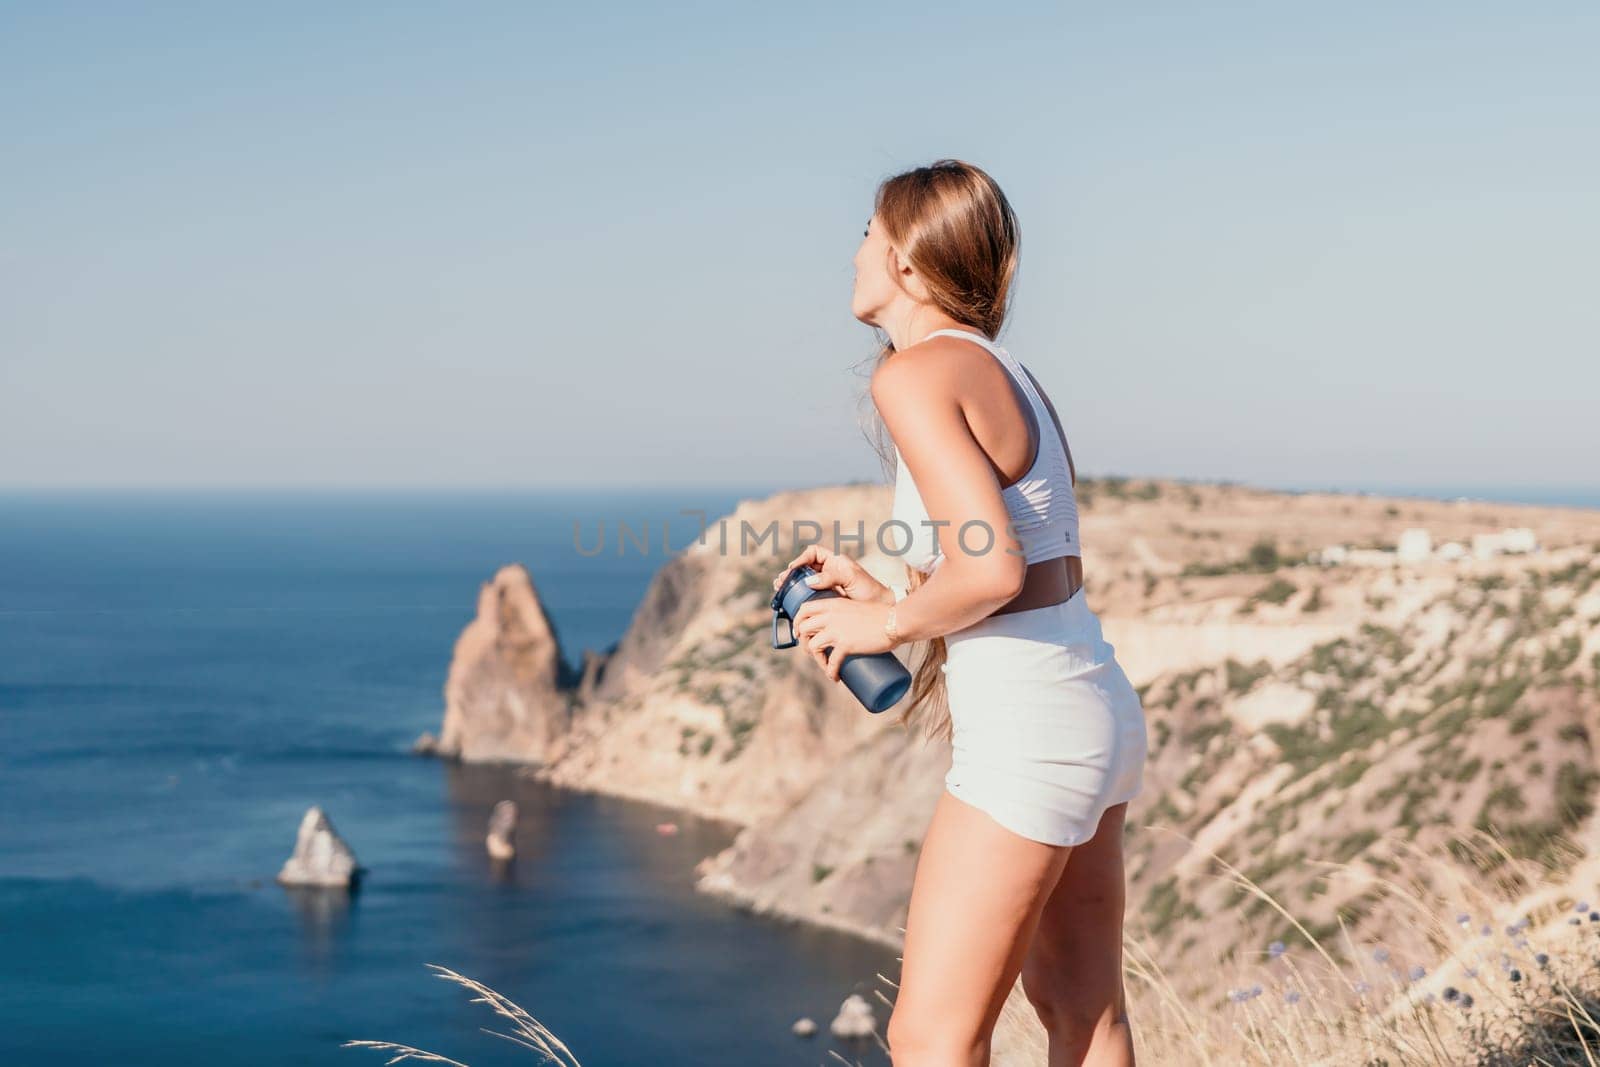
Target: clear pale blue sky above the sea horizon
[{"x": 471, "y": 246}]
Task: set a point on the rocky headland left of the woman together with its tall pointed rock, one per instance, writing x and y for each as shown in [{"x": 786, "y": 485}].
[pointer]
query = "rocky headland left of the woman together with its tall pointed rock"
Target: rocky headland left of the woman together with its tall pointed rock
[{"x": 694, "y": 708}]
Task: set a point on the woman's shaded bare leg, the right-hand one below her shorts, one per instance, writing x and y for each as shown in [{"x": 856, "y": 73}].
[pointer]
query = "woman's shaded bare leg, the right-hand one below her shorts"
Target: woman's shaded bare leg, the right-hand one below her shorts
[{"x": 1073, "y": 973}]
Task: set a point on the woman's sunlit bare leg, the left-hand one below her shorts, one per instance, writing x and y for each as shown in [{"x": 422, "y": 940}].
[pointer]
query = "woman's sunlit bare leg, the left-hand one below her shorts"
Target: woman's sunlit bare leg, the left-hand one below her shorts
[{"x": 975, "y": 903}]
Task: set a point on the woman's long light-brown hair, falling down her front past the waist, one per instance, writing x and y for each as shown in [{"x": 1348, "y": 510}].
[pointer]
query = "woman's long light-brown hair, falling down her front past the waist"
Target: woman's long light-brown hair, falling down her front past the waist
[{"x": 958, "y": 231}]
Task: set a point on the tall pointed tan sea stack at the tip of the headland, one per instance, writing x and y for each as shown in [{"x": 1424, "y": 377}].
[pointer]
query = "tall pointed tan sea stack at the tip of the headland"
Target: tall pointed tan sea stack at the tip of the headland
[{"x": 510, "y": 692}]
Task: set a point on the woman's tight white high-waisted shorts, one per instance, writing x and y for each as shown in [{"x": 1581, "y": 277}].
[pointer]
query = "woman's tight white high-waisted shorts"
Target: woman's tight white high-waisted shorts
[{"x": 1049, "y": 732}]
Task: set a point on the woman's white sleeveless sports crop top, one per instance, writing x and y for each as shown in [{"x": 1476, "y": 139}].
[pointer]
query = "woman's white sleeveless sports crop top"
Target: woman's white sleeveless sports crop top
[{"x": 1042, "y": 506}]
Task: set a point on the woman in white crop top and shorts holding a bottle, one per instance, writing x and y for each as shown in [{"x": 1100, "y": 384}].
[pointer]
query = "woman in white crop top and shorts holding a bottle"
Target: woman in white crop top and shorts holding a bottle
[{"x": 1022, "y": 871}]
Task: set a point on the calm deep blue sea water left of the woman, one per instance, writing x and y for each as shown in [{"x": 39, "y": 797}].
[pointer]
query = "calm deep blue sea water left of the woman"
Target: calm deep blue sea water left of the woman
[{"x": 182, "y": 676}]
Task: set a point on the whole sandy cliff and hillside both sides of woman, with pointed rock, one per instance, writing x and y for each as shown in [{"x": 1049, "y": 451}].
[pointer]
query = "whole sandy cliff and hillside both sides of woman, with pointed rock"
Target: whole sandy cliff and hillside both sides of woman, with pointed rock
[{"x": 1298, "y": 713}]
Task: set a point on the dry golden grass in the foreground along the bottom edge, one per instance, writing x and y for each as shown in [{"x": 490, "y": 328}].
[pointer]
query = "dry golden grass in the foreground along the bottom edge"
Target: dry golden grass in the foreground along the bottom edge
[{"x": 1490, "y": 972}]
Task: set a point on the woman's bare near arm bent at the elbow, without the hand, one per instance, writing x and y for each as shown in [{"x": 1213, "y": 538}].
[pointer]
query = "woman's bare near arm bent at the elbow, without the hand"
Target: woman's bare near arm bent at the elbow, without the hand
[{"x": 983, "y": 569}]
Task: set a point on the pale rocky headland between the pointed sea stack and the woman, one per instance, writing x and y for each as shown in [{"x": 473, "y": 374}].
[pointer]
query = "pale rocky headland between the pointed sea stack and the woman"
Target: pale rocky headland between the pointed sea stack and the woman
[{"x": 695, "y": 708}]
